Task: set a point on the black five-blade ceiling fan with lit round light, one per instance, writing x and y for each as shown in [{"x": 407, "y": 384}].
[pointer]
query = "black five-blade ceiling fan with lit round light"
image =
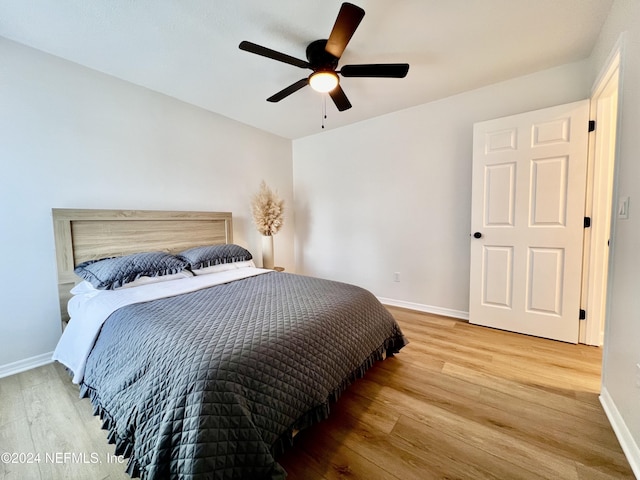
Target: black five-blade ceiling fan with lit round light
[{"x": 323, "y": 57}]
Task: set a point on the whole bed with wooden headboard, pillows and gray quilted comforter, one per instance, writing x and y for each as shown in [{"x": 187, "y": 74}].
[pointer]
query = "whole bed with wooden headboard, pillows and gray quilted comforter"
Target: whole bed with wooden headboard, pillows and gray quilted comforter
[{"x": 208, "y": 368}]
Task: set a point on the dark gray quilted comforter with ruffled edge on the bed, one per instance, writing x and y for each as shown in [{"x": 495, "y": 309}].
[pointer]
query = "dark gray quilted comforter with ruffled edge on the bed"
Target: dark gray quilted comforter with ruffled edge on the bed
[{"x": 211, "y": 384}]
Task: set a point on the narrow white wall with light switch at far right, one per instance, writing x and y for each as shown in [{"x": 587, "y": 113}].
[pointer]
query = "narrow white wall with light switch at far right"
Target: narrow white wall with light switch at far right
[{"x": 622, "y": 338}]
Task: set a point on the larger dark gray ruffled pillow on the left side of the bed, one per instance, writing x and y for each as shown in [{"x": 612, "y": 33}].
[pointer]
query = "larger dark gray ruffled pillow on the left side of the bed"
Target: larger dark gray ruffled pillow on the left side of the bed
[{"x": 114, "y": 272}]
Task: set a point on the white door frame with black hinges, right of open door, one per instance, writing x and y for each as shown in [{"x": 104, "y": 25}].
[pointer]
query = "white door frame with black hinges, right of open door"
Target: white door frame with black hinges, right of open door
[{"x": 600, "y": 188}]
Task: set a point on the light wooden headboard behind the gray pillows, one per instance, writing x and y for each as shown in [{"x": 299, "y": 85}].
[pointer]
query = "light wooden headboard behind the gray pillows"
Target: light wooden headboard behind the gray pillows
[{"x": 82, "y": 235}]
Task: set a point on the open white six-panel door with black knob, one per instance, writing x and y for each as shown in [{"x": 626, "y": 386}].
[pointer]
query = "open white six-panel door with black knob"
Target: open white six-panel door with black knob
[{"x": 527, "y": 221}]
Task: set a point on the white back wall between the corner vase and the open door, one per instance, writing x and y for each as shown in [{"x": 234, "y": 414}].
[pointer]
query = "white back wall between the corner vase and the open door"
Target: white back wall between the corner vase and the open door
[{"x": 392, "y": 194}]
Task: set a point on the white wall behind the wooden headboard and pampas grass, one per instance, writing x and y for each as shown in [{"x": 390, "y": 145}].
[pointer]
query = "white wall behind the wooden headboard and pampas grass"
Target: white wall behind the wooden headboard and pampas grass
[{"x": 71, "y": 137}]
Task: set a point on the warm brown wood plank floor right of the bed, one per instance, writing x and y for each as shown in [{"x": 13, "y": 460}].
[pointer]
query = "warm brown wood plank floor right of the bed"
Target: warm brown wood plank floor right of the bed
[{"x": 467, "y": 402}]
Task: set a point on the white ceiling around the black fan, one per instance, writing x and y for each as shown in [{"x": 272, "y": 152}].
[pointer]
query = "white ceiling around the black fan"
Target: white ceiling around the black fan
[{"x": 188, "y": 49}]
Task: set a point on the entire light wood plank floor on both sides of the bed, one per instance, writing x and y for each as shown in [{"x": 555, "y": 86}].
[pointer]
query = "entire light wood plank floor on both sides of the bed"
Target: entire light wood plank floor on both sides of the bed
[{"x": 459, "y": 402}]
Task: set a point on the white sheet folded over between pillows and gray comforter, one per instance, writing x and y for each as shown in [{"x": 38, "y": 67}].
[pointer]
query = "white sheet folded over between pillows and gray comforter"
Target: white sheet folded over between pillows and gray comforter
[{"x": 88, "y": 312}]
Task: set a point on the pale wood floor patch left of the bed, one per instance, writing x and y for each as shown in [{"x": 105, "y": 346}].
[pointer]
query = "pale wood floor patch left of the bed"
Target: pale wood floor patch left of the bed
[{"x": 43, "y": 423}]
